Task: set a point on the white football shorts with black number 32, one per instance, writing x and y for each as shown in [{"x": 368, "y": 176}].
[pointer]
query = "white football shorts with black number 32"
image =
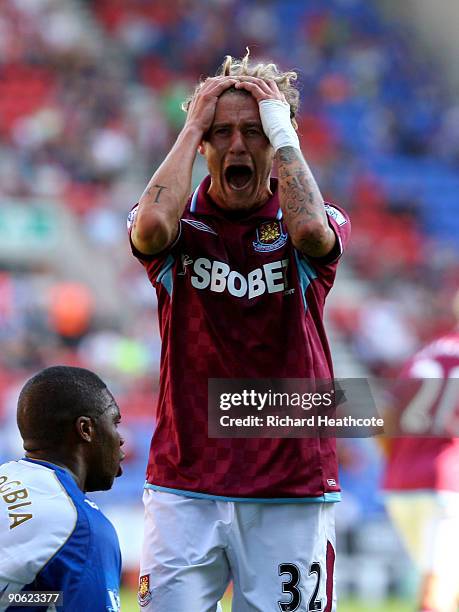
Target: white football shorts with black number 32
[{"x": 279, "y": 556}]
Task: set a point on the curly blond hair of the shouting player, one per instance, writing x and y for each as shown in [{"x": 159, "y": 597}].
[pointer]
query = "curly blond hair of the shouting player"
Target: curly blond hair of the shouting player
[{"x": 266, "y": 71}]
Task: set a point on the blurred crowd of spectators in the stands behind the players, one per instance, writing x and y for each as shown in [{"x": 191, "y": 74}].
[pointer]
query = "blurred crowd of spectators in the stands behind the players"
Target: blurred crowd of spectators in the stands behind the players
[{"x": 90, "y": 95}]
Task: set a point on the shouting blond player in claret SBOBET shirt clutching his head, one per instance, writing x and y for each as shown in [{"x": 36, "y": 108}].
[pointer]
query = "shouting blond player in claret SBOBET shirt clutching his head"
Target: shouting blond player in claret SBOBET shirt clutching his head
[{"x": 241, "y": 268}]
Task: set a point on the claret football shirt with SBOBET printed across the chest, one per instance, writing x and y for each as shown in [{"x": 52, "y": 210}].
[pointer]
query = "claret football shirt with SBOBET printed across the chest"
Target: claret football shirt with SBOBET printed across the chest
[{"x": 237, "y": 300}]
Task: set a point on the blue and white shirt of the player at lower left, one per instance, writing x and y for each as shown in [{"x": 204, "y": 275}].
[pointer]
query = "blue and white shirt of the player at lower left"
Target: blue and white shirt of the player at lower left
[{"x": 53, "y": 538}]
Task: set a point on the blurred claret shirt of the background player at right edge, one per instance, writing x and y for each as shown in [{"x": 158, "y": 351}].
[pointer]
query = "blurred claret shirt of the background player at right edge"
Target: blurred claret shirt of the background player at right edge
[{"x": 429, "y": 405}]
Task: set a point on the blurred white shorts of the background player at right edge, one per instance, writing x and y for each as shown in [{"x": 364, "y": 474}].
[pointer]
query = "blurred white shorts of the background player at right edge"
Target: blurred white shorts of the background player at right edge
[{"x": 428, "y": 524}]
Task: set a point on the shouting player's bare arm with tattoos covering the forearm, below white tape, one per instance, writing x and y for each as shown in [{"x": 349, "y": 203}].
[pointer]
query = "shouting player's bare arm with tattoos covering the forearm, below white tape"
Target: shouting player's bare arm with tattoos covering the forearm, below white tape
[{"x": 300, "y": 198}]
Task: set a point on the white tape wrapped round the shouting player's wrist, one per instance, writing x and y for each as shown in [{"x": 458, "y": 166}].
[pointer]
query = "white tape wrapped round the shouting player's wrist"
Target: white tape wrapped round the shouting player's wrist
[{"x": 275, "y": 118}]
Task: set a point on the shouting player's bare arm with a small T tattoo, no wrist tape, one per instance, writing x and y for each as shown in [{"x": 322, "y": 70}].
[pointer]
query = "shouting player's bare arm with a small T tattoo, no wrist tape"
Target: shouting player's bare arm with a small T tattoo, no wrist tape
[{"x": 163, "y": 201}]
